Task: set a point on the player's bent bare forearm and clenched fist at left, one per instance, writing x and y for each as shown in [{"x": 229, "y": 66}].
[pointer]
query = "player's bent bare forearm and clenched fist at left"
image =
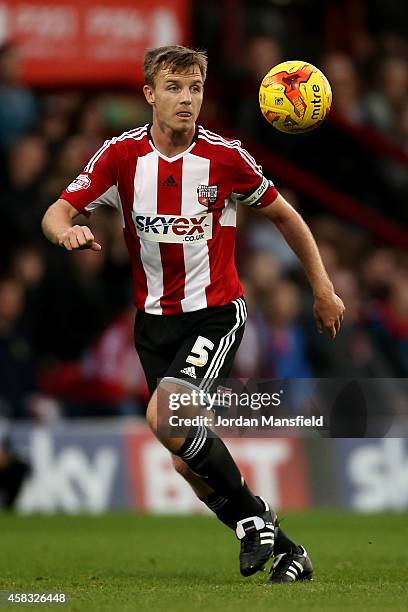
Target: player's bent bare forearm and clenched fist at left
[{"x": 58, "y": 227}]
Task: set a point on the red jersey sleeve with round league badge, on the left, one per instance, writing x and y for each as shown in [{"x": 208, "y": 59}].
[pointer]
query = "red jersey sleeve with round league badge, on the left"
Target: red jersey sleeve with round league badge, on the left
[{"x": 96, "y": 185}]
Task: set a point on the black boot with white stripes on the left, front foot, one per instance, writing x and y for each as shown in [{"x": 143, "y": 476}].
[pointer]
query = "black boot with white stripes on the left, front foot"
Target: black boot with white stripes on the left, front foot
[{"x": 257, "y": 536}]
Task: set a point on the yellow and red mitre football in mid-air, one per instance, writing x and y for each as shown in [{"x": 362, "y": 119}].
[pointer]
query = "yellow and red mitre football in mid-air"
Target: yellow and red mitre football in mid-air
[{"x": 295, "y": 97}]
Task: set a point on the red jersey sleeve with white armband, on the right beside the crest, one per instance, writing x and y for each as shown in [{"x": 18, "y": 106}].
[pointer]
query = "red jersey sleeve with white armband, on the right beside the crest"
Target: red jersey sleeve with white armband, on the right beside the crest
[{"x": 251, "y": 187}]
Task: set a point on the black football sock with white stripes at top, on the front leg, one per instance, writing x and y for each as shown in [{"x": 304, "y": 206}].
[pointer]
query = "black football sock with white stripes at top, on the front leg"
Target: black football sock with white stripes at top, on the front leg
[{"x": 211, "y": 460}]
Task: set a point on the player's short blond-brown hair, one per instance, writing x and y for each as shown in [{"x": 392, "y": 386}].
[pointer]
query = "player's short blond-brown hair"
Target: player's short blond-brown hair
[{"x": 175, "y": 58}]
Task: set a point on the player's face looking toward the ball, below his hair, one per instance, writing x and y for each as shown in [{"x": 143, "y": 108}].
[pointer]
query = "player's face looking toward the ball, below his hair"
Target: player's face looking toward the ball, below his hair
[{"x": 176, "y": 98}]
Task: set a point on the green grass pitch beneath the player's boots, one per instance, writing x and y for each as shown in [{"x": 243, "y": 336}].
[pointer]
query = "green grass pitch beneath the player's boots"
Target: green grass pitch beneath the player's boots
[{"x": 121, "y": 562}]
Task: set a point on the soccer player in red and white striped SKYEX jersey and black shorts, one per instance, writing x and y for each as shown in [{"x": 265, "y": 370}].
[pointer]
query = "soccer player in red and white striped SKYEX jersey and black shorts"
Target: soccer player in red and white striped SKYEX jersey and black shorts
[{"x": 176, "y": 186}]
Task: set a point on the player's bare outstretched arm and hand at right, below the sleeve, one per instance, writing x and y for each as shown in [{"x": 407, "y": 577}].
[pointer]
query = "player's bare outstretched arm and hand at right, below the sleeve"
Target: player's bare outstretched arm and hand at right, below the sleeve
[{"x": 328, "y": 307}]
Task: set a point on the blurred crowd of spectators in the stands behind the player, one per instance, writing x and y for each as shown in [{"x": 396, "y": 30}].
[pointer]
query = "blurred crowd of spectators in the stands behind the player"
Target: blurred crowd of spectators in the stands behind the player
[{"x": 66, "y": 337}]
